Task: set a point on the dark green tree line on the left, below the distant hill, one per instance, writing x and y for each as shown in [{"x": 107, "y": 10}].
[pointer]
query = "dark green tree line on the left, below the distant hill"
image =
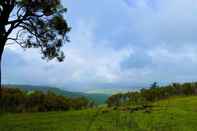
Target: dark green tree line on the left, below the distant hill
[{"x": 16, "y": 100}]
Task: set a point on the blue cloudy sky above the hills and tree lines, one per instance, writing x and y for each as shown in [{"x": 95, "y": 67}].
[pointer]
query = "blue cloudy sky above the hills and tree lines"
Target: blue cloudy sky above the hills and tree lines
[{"x": 115, "y": 44}]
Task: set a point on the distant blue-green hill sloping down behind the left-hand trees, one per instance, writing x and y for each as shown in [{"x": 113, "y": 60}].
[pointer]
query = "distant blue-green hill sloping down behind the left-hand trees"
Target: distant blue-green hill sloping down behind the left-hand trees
[{"x": 96, "y": 97}]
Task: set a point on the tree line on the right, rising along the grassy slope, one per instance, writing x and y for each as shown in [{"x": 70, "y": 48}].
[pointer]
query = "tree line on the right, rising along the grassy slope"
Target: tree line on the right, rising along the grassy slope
[{"x": 152, "y": 94}]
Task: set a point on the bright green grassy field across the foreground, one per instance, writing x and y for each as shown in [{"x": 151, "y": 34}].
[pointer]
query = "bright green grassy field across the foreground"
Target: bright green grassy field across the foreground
[{"x": 174, "y": 114}]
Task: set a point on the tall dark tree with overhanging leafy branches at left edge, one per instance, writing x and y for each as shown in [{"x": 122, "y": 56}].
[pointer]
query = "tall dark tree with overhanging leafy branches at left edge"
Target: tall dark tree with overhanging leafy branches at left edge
[{"x": 34, "y": 24}]
